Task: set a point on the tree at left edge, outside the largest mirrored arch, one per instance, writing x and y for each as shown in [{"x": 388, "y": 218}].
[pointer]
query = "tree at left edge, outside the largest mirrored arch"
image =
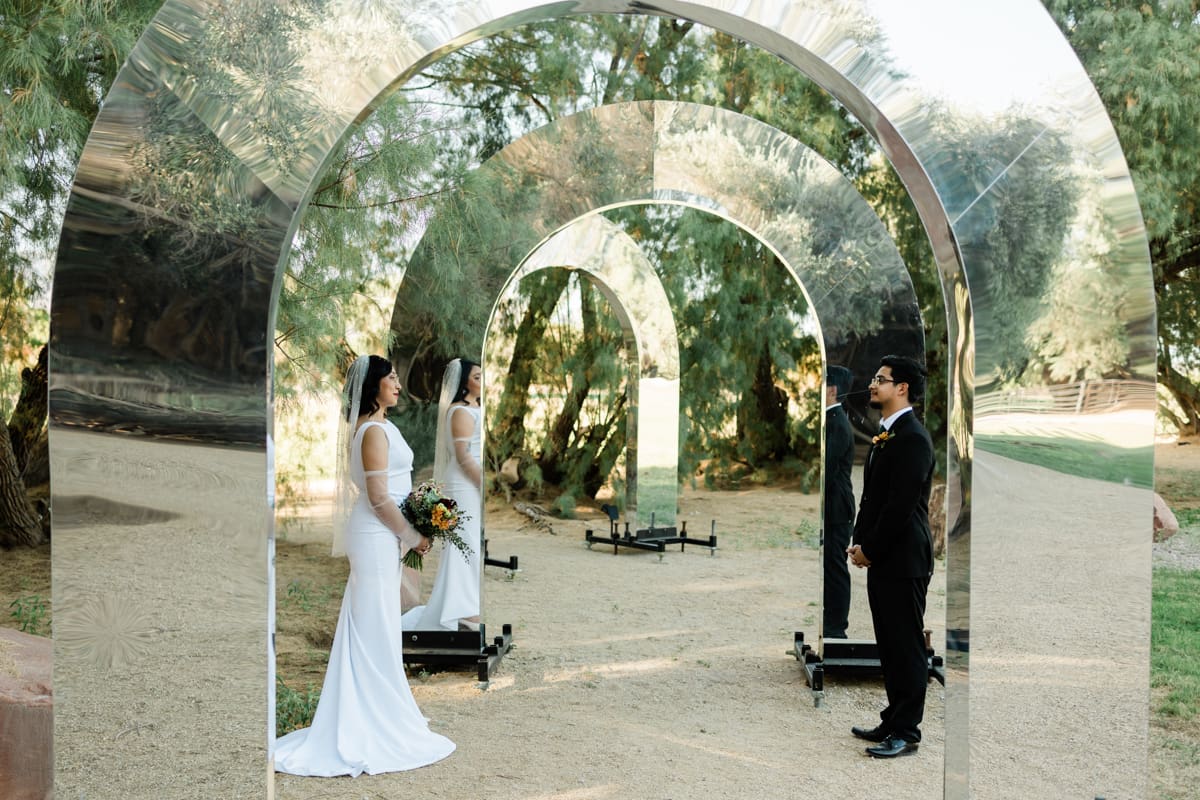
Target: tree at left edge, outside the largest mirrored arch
[{"x": 57, "y": 62}]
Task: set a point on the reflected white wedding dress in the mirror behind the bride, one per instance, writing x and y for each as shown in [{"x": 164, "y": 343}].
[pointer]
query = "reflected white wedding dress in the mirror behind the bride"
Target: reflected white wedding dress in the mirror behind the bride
[{"x": 457, "y": 587}]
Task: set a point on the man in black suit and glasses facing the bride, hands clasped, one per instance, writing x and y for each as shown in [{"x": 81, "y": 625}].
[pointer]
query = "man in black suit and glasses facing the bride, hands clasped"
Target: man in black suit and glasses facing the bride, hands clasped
[{"x": 892, "y": 539}]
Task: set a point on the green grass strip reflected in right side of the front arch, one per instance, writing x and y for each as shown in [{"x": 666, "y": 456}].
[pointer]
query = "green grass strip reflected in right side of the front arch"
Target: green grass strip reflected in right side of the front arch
[{"x": 1085, "y": 459}]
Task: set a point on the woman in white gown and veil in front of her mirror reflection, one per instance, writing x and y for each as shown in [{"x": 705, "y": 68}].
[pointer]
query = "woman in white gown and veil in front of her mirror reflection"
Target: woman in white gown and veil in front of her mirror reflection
[{"x": 367, "y": 720}]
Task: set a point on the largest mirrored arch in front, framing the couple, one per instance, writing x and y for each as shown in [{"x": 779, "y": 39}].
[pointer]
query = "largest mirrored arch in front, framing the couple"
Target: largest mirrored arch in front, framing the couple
[{"x": 163, "y": 318}]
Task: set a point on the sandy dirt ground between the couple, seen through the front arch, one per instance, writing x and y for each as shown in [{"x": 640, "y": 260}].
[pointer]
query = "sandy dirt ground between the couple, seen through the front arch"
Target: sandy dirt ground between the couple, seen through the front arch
[{"x": 639, "y": 678}]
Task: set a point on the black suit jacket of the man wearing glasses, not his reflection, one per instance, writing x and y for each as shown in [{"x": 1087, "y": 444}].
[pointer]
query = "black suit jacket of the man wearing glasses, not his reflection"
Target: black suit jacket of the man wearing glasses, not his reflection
[{"x": 893, "y": 516}]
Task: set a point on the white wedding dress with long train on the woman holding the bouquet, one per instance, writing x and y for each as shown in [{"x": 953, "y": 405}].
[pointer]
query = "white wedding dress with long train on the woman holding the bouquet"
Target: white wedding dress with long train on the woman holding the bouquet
[{"x": 367, "y": 720}]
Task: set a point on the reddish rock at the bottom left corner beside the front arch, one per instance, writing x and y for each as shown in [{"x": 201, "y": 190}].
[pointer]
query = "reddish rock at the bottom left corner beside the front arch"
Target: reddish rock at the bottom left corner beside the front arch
[{"x": 27, "y": 717}]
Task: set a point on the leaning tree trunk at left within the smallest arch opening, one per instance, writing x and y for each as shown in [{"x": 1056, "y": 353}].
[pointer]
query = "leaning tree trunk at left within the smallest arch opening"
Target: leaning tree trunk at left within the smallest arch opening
[{"x": 509, "y": 438}]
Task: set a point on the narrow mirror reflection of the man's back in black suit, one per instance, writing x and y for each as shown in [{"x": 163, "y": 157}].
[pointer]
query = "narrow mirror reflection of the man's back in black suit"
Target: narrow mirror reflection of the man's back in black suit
[{"x": 839, "y": 504}]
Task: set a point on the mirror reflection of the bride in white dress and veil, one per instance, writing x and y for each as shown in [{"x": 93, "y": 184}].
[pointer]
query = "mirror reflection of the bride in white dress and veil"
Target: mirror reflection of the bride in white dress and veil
[{"x": 454, "y": 601}]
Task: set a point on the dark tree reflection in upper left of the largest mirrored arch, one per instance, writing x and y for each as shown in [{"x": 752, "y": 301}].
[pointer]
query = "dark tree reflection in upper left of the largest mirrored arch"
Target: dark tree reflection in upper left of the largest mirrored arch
[{"x": 187, "y": 231}]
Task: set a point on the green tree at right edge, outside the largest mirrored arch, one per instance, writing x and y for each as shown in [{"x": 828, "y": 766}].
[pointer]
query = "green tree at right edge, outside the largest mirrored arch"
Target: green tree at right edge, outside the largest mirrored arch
[{"x": 1142, "y": 58}]
